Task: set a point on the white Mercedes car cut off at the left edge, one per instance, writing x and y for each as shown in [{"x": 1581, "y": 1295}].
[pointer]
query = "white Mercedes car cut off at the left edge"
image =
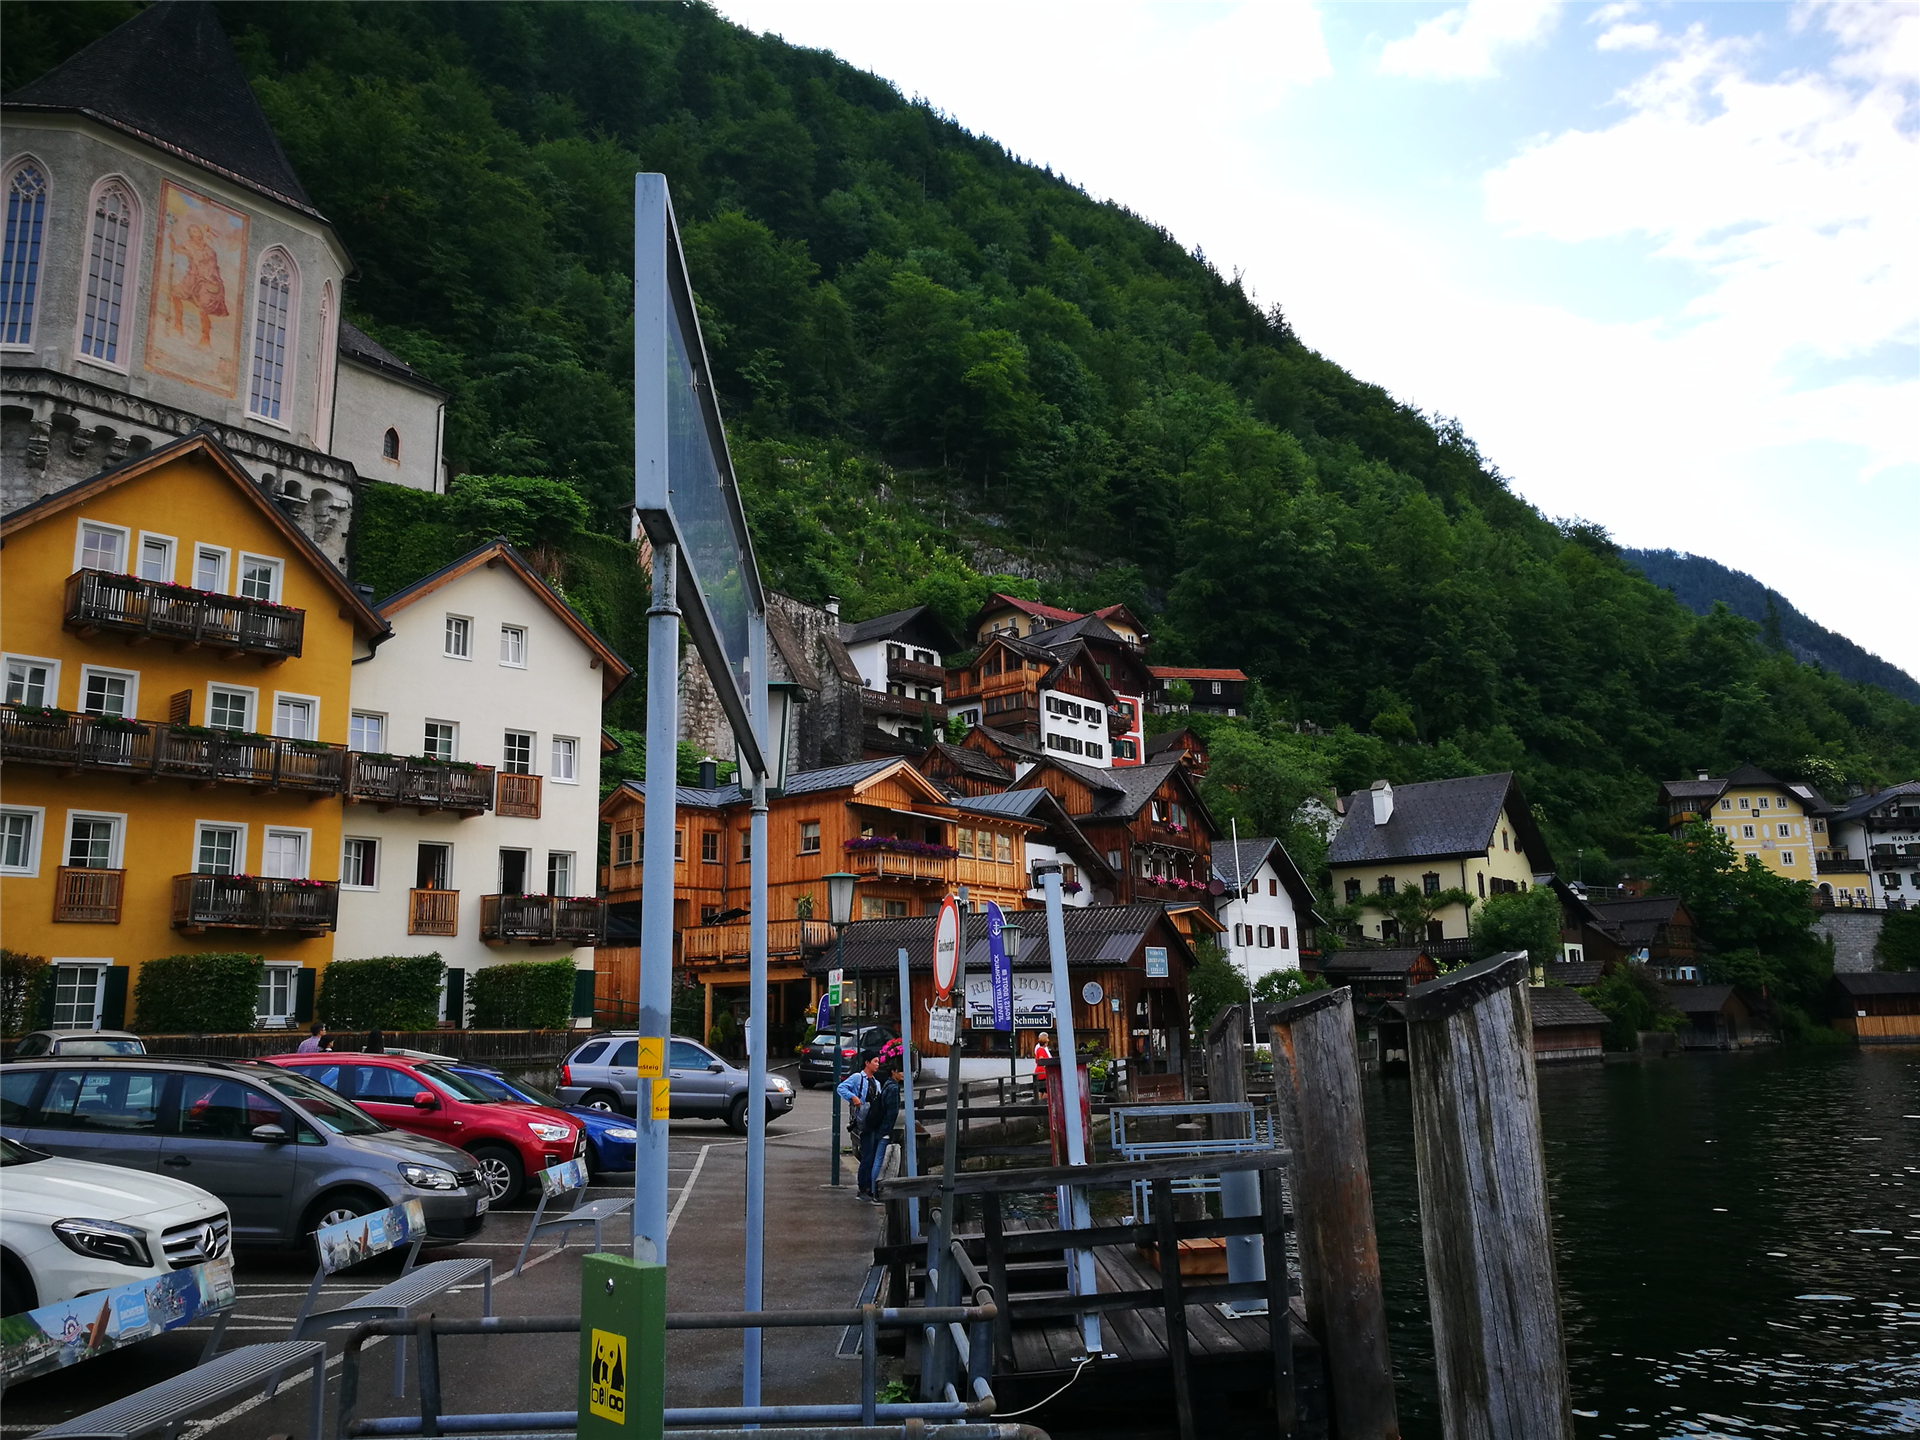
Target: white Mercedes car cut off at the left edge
[{"x": 70, "y": 1228}]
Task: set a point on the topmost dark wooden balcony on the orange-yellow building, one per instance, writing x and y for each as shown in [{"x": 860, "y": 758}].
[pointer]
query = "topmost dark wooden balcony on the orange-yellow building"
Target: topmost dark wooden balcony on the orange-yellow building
[{"x": 149, "y": 610}]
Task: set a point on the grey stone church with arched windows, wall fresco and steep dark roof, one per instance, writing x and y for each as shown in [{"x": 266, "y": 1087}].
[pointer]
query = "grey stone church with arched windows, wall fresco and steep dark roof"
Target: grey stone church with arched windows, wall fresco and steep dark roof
[{"x": 166, "y": 272}]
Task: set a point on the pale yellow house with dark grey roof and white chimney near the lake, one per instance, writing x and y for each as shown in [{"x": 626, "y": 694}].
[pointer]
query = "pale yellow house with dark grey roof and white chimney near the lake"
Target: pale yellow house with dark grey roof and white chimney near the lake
[{"x": 1474, "y": 834}]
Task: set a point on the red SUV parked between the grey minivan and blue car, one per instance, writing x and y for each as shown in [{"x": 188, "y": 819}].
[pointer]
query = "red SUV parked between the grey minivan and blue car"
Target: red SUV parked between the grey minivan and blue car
[{"x": 510, "y": 1141}]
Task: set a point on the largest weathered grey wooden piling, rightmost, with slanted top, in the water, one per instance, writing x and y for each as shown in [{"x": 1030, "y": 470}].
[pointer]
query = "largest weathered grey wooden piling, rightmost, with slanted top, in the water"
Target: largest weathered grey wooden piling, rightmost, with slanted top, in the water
[{"x": 1491, "y": 1282}]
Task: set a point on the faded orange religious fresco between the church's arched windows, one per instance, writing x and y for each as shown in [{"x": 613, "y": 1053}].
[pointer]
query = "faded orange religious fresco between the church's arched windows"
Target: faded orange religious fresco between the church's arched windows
[{"x": 193, "y": 320}]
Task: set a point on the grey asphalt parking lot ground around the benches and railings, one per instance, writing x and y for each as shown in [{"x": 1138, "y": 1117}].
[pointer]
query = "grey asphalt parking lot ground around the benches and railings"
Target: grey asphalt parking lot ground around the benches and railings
[{"x": 819, "y": 1249}]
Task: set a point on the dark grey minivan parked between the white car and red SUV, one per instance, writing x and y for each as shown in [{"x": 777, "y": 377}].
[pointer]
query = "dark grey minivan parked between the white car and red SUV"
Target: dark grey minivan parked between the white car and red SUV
[{"x": 281, "y": 1153}]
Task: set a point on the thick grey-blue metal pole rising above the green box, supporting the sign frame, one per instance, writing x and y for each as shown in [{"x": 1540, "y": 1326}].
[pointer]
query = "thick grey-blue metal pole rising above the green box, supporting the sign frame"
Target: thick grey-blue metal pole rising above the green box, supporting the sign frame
[{"x": 658, "y": 900}]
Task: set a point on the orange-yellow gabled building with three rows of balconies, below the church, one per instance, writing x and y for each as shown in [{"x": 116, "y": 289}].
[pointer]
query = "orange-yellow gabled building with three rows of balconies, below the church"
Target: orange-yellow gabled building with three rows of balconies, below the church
[{"x": 174, "y": 734}]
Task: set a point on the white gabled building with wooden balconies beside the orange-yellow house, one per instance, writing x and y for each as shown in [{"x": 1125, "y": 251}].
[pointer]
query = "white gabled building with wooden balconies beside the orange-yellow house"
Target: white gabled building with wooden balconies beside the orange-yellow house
[{"x": 473, "y": 821}]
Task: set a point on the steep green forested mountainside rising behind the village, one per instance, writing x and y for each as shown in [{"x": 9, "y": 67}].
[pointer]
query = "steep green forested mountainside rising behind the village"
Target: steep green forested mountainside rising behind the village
[{"x": 938, "y": 364}]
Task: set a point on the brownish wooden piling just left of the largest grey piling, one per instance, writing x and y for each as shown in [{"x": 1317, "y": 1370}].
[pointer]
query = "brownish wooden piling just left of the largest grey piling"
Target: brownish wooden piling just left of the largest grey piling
[{"x": 1316, "y": 1080}]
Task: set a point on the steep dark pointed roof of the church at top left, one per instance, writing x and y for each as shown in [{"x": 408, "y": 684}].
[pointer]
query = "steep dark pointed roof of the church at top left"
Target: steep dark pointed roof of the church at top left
[{"x": 172, "y": 80}]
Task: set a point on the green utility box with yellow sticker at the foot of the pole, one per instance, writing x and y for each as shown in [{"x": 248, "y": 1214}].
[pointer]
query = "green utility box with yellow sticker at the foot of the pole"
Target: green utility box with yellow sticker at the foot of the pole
[{"x": 623, "y": 1349}]
